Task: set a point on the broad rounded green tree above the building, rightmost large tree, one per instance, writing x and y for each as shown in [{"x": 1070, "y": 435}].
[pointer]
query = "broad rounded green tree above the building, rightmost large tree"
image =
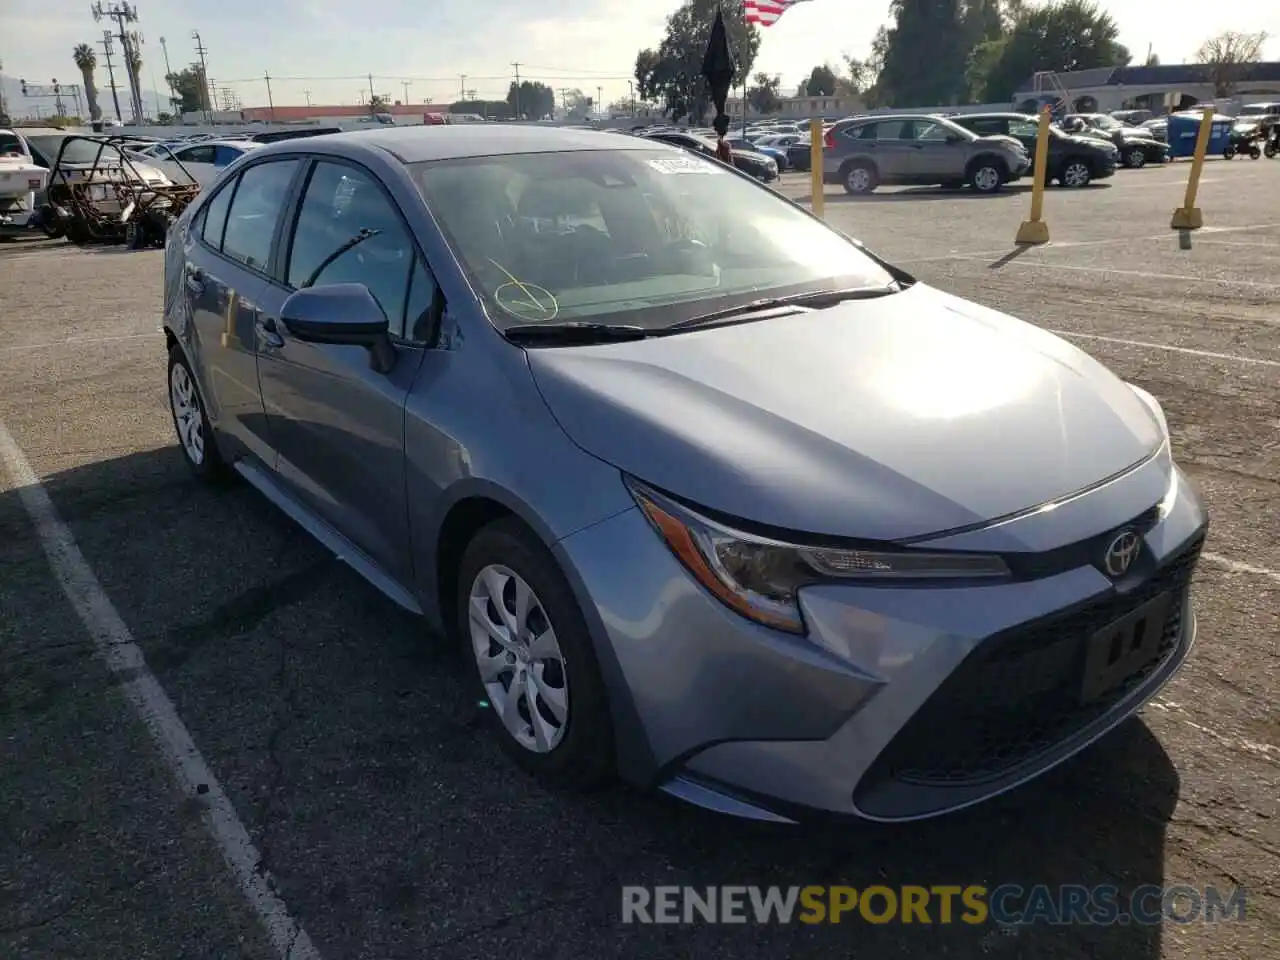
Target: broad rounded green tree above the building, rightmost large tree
[{"x": 1071, "y": 35}]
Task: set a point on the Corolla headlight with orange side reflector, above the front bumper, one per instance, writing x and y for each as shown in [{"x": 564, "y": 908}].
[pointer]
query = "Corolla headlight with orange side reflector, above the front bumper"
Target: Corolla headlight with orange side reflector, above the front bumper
[{"x": 761, "y": 578}]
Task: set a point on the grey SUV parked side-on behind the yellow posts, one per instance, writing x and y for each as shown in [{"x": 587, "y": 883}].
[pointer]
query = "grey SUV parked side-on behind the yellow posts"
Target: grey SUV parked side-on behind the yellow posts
[{"x": 915, "y": 149}]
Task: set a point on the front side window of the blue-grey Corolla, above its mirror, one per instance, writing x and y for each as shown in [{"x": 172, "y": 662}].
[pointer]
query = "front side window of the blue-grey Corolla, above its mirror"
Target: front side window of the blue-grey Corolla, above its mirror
[{"x": 341, "y": 203}]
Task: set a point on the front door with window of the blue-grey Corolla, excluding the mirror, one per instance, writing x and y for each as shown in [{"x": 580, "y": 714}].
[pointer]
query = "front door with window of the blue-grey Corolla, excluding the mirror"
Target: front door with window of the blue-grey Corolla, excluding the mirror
[{"x": 336, "y": 423}]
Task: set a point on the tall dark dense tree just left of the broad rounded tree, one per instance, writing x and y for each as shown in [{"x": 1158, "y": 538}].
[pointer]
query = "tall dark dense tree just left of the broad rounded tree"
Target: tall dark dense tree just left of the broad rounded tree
[{"x": 926, "y": 54}]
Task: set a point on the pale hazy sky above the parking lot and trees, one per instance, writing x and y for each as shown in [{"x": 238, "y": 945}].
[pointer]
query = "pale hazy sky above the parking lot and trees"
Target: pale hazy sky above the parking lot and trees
[{"x": 328, "y": 47}]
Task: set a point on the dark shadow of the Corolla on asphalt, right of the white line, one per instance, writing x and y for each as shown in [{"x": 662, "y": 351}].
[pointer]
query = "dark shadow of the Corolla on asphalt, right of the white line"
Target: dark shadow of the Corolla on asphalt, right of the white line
[{"x": 395, "y": 826}]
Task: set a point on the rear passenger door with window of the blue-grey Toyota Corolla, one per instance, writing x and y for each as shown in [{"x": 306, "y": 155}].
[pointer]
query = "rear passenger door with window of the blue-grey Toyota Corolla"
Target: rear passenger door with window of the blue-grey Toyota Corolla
[{"x": 228, "y": 253}]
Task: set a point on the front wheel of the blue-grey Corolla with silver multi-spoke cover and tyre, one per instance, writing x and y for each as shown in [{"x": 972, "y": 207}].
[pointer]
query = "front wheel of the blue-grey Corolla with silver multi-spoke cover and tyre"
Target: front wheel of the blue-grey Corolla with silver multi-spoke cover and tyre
[{"x": 532, "y": 659}]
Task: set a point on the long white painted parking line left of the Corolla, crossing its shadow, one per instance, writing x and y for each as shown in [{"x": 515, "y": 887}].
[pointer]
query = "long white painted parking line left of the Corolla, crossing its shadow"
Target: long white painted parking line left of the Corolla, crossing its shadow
[{"x": 125, "y": 660}]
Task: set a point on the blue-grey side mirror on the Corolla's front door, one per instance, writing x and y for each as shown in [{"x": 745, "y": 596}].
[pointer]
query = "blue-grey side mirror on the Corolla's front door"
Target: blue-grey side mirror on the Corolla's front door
[{"x": 344, "y": 314}]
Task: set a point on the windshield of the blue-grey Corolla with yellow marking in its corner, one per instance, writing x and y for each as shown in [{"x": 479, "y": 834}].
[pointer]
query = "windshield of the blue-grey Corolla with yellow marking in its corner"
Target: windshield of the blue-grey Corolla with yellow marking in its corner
[{"x": 646, "y": 237}]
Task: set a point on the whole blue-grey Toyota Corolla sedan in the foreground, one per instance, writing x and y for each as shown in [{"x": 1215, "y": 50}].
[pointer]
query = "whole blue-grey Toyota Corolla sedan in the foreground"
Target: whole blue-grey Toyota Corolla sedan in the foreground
[{"x": 710, "y": 496}]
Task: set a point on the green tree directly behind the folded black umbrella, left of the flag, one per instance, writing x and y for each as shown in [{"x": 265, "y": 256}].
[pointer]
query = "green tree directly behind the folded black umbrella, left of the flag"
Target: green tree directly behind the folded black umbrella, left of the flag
[{"x": 673, "y": 74}]
